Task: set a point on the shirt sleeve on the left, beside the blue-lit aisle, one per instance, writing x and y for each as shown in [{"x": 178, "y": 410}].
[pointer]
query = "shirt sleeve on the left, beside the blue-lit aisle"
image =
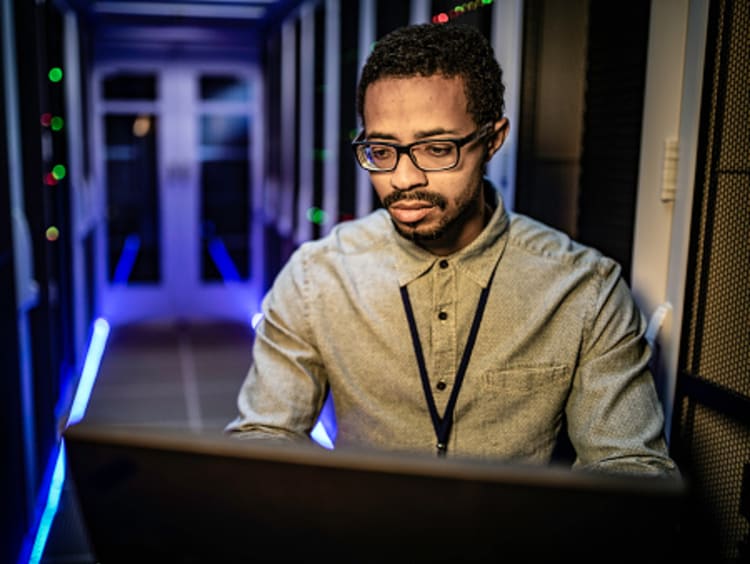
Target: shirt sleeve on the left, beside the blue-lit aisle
[{"x": 285, "y": 386}]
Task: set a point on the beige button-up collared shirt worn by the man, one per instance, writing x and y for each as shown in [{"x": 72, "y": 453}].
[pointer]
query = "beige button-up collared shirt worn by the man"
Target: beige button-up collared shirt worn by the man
[{"x": 561, "y": 339}]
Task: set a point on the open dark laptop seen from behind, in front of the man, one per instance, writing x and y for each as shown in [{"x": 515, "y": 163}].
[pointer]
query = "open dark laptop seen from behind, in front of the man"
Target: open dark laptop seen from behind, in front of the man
[{"x": 155, "y": 494}]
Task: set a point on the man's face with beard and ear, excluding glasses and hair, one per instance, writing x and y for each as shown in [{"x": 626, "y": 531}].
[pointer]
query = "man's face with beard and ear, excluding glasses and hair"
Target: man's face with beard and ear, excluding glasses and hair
[{"x": 442, "y": 211}]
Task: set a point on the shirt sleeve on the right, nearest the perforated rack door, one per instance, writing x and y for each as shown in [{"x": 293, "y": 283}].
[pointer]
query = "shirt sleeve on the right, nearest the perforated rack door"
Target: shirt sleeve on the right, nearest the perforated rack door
[{"x": 615, "y": 419}]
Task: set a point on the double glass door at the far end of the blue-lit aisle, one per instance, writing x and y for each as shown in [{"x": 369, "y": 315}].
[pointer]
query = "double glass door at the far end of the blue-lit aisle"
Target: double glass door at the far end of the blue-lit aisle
[{"x": 177, "y": 240}]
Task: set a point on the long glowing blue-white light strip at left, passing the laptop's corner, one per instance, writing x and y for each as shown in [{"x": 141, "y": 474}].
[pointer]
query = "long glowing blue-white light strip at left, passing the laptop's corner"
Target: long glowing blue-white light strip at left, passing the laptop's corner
[{"x": 80, "y": 403}]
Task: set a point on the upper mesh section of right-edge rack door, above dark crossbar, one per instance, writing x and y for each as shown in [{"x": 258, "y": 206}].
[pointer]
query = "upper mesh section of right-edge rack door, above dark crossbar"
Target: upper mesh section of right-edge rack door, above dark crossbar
[{"x": 719, "y": 343}]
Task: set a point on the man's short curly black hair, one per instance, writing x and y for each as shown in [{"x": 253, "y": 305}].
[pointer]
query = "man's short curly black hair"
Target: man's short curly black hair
[{"x": 440, "y": 49}]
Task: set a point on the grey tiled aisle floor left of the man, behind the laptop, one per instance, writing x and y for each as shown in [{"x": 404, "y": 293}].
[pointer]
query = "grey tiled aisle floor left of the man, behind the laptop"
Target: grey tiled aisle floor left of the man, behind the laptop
[{"x": 177, "y": 376}]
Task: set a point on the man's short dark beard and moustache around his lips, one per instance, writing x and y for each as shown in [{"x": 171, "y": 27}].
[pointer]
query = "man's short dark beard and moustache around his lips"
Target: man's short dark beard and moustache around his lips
[{"x": 450, "y": 223}]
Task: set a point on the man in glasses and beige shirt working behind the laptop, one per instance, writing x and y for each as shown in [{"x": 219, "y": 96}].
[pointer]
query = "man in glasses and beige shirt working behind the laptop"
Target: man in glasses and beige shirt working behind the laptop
[{"x": 443, "y": 322}]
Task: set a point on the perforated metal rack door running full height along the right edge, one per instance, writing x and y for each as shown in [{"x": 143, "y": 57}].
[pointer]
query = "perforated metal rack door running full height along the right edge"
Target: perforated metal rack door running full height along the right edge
[{"x": 714, "y": 383}]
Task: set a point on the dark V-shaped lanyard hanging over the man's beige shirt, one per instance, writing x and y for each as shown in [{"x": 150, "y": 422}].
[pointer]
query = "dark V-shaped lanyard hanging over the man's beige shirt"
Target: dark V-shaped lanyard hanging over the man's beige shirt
[{"x": 442, "y": 425}]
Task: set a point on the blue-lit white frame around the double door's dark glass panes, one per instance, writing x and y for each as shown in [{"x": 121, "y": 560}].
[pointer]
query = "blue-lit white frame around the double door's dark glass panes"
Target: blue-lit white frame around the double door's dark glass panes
[{"x": 171, "y": 300}]
